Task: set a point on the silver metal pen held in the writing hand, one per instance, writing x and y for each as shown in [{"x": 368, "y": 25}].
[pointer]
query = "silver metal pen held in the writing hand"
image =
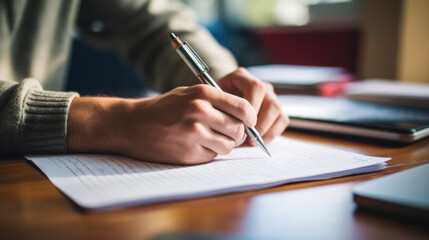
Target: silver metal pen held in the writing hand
[{"x": 200, "y": 69}]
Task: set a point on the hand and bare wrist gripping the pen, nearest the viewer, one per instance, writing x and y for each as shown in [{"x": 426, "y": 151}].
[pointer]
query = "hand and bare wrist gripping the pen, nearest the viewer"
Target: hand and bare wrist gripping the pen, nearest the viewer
[{"x": 187, "y": 125}]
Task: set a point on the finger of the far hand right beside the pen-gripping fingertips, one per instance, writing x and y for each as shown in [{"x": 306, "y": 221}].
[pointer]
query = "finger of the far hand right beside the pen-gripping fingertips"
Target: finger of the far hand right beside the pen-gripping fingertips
[{"x": 268, "y": 114}]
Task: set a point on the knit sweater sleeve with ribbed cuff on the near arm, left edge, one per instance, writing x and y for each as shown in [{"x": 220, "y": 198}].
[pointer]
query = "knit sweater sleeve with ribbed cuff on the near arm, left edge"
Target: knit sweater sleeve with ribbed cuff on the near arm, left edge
[{"x": 32, "y": 120}]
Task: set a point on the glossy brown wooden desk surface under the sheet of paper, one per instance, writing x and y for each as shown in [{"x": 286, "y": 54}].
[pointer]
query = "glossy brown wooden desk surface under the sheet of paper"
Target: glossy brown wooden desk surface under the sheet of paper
[{"x": 32, "y": 208}]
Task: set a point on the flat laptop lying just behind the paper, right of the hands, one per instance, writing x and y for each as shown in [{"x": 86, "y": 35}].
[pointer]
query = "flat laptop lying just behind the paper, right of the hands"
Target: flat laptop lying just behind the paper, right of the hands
[{"x": 356, "y": 118}]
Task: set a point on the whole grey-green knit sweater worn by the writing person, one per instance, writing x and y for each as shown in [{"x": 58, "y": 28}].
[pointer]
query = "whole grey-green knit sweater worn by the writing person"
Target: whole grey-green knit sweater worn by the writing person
[{"x": 35, "y": 37}]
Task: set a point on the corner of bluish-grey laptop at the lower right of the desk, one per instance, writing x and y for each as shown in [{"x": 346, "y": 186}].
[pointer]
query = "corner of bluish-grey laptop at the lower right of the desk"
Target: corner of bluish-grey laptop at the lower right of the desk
[{"x": 405, "y": 193}]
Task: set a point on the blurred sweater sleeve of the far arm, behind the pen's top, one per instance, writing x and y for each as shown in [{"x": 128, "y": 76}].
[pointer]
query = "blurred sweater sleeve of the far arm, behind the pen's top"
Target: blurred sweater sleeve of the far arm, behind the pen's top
[{"x": 139, "y": 30}]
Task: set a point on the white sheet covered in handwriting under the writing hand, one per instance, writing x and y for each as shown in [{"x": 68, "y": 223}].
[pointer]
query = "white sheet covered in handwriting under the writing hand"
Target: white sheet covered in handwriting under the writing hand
[{"x": 111, "y": 181}]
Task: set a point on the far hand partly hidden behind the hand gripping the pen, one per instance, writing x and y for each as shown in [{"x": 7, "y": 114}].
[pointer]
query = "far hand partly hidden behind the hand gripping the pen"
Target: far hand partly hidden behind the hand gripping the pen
[{"x": 271, "y": 121}]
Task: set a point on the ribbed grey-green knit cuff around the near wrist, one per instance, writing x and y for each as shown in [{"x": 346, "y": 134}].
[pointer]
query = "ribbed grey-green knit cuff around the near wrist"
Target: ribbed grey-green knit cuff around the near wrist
[{"x": 43, "y": 127}]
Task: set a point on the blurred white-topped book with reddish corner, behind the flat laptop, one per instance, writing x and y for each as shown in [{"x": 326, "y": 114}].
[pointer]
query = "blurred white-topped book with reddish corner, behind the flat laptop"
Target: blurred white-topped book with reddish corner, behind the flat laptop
[{"x": 309, "y": 80}]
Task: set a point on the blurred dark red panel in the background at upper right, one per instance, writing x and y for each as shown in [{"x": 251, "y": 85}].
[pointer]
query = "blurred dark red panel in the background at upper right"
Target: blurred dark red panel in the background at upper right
[{"x": 311, "y": 46}]
